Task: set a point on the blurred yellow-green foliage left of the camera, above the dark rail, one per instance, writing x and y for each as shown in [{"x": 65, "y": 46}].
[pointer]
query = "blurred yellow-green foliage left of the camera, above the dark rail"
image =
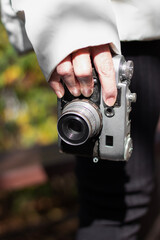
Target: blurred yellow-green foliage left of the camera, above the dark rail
[{"x": 27, "y": 104}]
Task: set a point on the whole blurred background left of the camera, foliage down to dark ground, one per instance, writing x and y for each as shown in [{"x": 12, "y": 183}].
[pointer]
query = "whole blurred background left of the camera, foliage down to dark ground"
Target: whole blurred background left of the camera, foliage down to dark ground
[{"x": 38, "y": 196}]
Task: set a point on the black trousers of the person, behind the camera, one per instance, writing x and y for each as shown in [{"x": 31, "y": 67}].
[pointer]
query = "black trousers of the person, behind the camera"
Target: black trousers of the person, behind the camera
[{"x": 115, "y": 195}]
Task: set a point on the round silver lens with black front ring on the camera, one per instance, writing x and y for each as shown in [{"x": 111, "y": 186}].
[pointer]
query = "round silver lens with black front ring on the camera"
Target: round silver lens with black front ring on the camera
[{"x": 80, "y": 120}]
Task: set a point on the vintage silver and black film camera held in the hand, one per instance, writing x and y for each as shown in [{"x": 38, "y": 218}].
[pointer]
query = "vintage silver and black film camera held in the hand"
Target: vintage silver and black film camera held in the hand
[{"x": 88, "y": 127}]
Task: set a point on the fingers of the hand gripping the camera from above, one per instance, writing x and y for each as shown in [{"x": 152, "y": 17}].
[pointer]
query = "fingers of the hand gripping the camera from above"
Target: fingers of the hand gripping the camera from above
[{"x": 76, "y": 72}]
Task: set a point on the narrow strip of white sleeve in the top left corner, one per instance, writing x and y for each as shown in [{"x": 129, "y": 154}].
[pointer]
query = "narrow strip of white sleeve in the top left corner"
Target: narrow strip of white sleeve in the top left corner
[{"x": 15, "y": 28}]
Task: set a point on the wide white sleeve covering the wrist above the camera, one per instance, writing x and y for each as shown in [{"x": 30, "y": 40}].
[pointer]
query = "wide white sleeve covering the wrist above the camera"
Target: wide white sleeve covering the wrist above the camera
[{"x": 58, "y": 27}]
